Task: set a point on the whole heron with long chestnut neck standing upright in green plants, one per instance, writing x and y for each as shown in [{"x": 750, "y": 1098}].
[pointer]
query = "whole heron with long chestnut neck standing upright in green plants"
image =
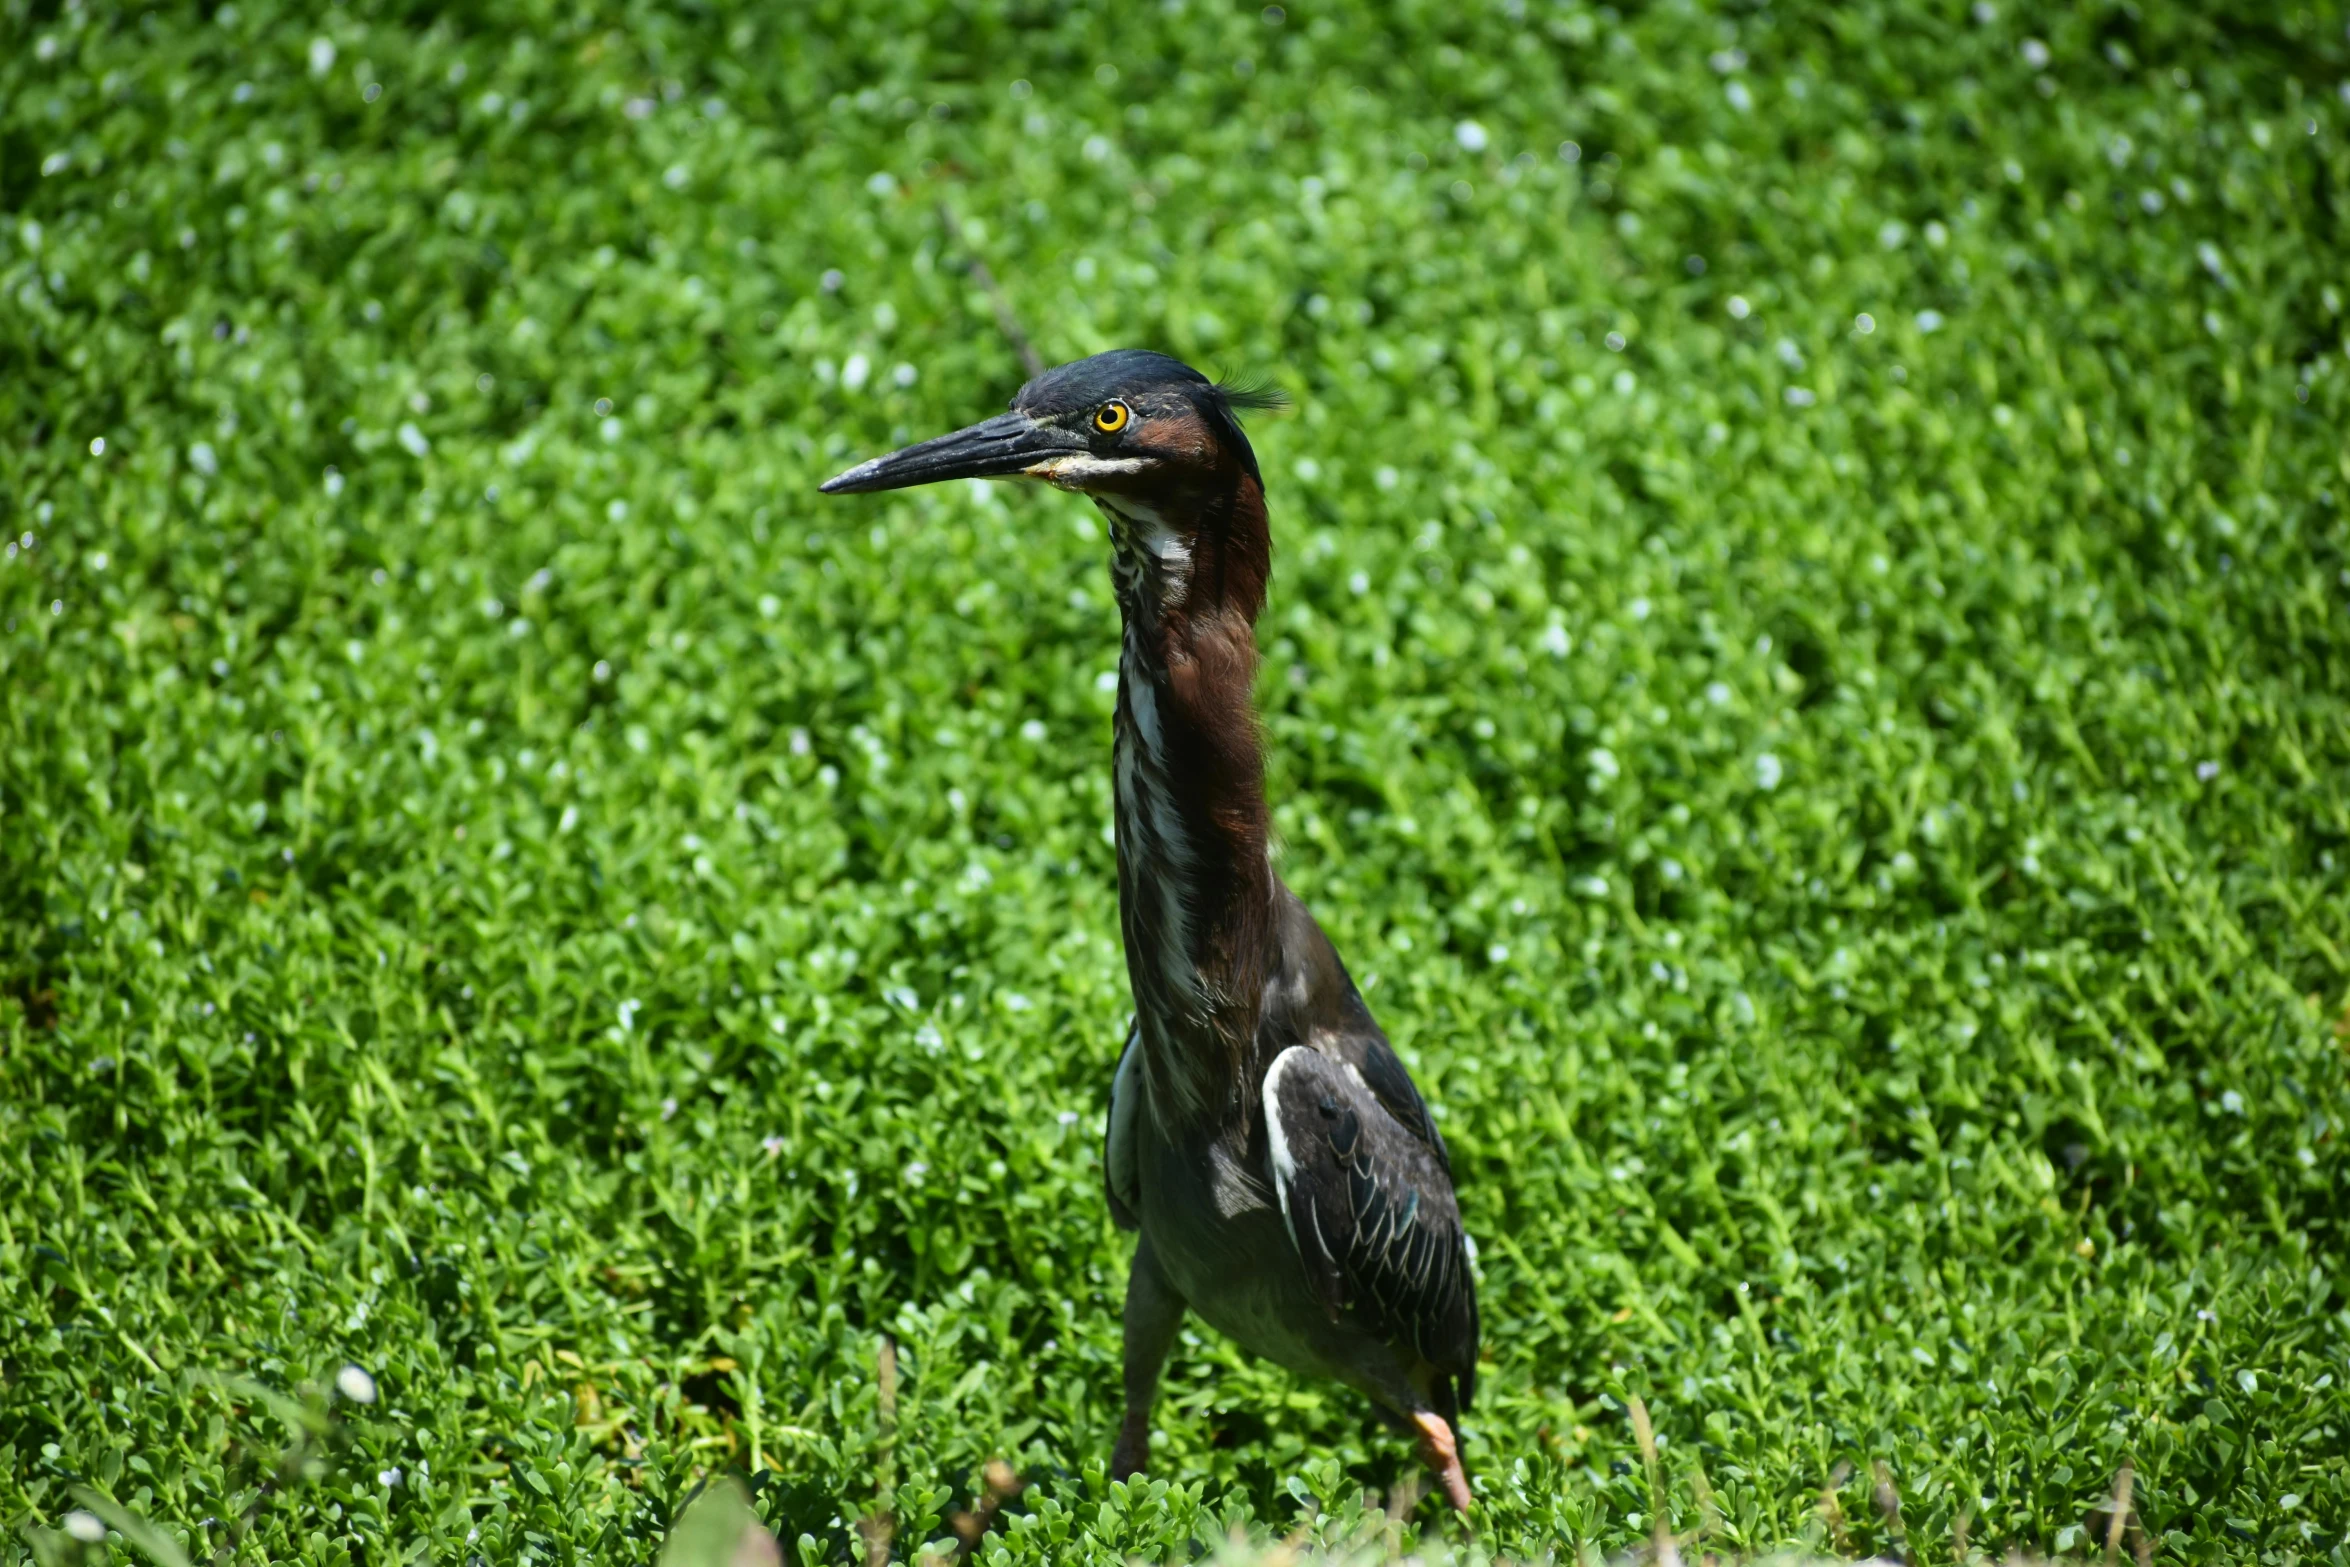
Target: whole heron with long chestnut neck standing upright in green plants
[{"x": 1263, "y": 1136}]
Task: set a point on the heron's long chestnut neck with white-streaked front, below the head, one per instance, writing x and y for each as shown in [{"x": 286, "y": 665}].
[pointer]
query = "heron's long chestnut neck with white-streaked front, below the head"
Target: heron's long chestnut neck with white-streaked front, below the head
[{"x": 1195, "y": 885}]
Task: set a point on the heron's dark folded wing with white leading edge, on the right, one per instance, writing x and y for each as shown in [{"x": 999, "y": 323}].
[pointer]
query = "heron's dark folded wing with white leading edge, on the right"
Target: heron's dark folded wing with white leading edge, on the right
[{"x": 1371, "y": 1209}]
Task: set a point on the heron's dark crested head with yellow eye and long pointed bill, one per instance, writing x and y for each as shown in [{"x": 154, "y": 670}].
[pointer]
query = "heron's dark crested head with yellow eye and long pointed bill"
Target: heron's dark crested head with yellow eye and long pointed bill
[{"x": 1124, "y": 422}]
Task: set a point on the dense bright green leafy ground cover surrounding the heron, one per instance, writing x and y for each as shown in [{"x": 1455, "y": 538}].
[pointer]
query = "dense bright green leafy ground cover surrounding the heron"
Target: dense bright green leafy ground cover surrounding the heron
[{"x": 506, "y": 887}]
